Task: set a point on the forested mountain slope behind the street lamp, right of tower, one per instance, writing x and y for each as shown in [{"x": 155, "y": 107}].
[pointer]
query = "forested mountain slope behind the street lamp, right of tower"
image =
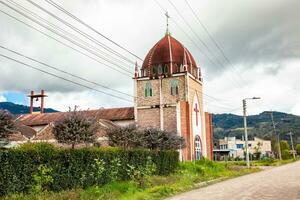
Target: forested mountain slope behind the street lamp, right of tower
[{"x": 258, "y": 126}]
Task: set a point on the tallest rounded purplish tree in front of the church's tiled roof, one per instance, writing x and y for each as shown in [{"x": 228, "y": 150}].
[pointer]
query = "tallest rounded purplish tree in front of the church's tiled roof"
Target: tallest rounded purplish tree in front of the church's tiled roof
[{"x": 75, "y": 128}]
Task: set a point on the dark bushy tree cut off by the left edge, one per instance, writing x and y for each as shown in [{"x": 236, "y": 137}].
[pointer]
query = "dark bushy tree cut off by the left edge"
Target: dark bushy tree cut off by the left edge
[{"x": 7, "y": 124}]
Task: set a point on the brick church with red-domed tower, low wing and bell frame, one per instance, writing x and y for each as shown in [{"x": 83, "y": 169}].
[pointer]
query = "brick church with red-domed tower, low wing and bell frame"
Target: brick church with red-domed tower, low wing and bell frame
[{"x": 168, "y": 96}]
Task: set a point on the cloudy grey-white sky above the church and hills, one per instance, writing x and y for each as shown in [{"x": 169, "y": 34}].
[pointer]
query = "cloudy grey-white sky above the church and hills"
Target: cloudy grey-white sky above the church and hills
[{"x": 260, "y": 41}]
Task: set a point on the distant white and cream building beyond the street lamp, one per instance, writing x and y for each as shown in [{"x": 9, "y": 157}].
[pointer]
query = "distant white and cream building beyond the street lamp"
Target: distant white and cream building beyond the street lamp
[{"x": 236, "y": 147}]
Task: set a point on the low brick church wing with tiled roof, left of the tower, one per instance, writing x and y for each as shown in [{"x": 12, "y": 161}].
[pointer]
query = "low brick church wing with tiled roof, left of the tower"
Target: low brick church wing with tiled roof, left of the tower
[{"x": 38, "y": 127}]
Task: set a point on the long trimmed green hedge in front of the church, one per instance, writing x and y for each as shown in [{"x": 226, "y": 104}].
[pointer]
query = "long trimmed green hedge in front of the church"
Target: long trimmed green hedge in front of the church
[{"x": 73, "y": 168}]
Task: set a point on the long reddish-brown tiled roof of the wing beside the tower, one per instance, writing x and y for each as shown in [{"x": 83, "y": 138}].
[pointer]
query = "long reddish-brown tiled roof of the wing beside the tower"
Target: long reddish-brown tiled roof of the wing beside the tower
[{"x": 112, "y": 114}]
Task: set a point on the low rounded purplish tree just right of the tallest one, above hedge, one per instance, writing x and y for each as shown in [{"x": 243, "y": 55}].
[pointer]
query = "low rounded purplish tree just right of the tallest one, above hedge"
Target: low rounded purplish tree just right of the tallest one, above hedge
[{"x": 125, "y": 137}]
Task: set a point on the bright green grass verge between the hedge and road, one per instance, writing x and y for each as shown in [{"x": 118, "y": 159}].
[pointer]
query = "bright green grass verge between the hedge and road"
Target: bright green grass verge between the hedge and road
[{"x": 158, "y": 187}]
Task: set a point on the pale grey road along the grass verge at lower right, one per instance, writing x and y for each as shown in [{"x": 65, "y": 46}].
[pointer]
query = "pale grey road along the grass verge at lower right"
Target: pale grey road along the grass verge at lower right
[{"x": 282, "y": 183}]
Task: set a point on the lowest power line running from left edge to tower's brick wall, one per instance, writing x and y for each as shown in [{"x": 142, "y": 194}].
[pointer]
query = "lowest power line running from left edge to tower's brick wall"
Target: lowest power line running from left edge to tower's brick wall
[{"x": 60, "y": 77}]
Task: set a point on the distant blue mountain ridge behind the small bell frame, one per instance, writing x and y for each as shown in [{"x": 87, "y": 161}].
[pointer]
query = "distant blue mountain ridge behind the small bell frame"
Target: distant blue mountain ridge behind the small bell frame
[{"x": 20, "y": 109}]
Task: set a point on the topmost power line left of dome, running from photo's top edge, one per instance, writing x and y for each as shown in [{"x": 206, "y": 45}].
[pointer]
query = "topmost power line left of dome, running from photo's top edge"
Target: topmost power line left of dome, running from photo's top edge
[{"x": 85, "y": 24}]
